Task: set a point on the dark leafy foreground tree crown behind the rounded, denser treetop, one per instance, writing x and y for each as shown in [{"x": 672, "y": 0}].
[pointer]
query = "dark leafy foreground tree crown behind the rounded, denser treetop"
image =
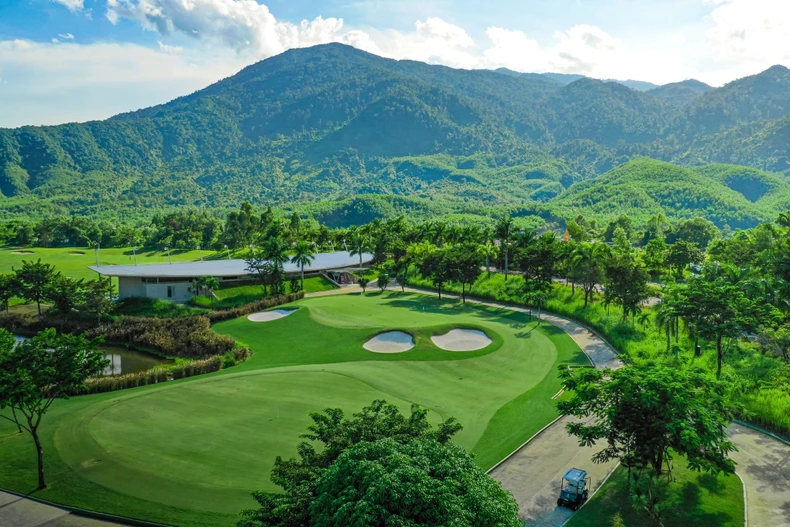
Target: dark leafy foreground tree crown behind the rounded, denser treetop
[{"x": 330, "y": 435}]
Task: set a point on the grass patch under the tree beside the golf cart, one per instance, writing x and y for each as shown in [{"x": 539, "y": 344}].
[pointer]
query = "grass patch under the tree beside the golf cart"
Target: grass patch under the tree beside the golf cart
[{"x": 694, "y": 499}]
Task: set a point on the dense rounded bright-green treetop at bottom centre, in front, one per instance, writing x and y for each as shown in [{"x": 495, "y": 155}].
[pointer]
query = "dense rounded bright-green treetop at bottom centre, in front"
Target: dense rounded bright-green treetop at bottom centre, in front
[{"x": 422, "y": 482}]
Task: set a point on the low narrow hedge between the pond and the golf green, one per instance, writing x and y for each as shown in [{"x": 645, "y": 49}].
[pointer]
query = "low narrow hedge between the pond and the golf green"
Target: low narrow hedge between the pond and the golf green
[{"x": 167, "y": 373}]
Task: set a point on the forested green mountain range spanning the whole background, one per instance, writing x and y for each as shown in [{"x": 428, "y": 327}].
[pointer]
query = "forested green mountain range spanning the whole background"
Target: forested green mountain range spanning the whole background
[{"x": 314, "y": 128}]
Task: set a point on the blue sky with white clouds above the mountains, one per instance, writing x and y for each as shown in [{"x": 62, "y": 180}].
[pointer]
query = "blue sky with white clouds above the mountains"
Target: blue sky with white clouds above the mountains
[{"x": 79, "y": 60}]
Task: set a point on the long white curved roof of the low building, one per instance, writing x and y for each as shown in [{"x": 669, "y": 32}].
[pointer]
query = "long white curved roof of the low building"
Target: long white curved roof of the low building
[{"x": 221, "y": 268}]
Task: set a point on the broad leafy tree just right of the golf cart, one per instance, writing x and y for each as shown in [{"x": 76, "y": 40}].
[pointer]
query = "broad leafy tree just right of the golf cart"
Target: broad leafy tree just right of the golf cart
[{"x": 641, "y": 414}]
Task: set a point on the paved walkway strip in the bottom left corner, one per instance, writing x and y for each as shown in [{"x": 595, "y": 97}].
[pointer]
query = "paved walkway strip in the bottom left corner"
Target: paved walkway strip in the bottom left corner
[{"x": 21, "y": 512}]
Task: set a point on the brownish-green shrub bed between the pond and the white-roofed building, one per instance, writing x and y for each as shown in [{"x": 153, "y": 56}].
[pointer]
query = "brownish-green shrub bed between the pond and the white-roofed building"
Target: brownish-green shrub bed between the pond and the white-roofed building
[{"x": 188, "y": 337}]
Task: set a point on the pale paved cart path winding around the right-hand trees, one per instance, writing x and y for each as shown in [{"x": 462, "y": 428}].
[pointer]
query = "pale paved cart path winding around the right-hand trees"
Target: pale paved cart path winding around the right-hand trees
[{"x": 534, "y": 471}]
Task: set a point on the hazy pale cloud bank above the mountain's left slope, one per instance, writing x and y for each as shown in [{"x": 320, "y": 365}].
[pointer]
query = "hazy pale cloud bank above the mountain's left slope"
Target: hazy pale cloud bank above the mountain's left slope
[{"x": 55, "y": 83}]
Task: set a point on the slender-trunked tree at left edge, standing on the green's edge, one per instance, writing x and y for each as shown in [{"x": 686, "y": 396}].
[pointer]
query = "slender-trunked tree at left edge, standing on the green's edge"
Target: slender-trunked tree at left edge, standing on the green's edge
[{"x": 38, "y": 371}]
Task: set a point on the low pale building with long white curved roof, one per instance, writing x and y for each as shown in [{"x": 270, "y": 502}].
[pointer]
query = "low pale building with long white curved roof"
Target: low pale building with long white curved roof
[{"x": 174, "y": 281}]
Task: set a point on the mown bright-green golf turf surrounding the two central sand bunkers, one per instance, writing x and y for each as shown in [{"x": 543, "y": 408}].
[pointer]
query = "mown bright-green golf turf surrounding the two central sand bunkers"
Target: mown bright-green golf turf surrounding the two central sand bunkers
[{"x": 203, "y": 444}]
